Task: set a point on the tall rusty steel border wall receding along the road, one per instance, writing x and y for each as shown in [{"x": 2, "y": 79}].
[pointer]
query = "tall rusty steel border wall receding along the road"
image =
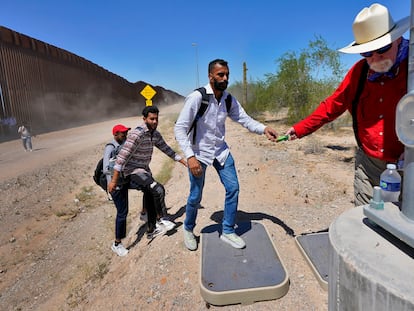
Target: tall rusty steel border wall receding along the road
[{"x": 50, "y": 88}]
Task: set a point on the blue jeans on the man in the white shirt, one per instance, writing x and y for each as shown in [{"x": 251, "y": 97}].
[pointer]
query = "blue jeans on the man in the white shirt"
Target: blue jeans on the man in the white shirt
[{"x": 228, "y": 177}]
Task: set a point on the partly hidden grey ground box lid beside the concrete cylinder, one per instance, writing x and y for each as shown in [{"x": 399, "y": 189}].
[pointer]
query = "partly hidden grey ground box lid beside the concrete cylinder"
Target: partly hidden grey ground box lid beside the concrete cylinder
[{"x": 315, "y": 248}]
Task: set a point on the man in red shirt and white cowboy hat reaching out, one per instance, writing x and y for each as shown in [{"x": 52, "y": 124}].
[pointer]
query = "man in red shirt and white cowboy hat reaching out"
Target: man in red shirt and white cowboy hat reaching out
[{"x": 383, "y": 73}]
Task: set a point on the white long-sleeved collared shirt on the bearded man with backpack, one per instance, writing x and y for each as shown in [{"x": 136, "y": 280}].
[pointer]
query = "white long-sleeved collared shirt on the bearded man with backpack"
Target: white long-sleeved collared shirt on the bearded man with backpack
[{"x": 210, "y": 139}]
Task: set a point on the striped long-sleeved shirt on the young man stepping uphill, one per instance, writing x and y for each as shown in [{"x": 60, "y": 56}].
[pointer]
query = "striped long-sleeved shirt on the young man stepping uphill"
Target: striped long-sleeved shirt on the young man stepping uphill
[{"x": 136, "y": 153}]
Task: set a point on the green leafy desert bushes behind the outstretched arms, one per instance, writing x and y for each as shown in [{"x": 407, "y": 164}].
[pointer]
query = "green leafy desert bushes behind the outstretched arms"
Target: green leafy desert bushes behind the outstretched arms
[{"x": 303, "y": 79}]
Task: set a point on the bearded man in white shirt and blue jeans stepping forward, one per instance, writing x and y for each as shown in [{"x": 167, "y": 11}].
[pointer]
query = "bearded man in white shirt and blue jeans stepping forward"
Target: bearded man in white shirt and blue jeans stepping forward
[{"x": 205, "y": 145}]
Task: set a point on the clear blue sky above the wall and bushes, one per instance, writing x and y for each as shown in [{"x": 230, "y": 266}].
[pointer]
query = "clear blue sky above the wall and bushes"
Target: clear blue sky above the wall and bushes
[{"x": 153, "y": 40}]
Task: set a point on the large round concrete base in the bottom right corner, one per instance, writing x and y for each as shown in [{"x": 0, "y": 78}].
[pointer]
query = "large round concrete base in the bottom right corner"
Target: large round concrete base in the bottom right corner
[{"x": 369, "y": 269}]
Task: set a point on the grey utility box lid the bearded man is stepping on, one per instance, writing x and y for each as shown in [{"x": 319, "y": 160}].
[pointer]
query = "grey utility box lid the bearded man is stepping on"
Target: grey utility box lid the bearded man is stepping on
[{"x": 241, "y": 276}]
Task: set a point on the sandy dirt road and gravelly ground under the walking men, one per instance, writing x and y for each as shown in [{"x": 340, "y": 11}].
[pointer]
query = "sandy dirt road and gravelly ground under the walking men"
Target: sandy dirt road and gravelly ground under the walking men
[{"x": 57, "y": 226}]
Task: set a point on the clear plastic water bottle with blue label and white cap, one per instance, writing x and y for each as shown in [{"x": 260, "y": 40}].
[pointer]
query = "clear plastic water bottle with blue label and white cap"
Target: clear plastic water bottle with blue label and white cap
[{"x": 390, "y": 183}]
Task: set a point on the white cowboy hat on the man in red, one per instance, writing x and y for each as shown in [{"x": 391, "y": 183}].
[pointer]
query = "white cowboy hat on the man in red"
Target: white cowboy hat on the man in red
[{"x": 374, "y": 28}]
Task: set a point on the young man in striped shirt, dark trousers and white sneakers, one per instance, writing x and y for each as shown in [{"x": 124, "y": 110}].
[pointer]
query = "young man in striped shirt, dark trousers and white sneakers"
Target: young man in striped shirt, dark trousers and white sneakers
[{"x": 133, "y": 164}]
